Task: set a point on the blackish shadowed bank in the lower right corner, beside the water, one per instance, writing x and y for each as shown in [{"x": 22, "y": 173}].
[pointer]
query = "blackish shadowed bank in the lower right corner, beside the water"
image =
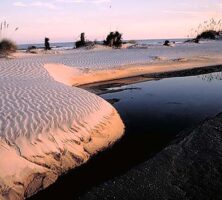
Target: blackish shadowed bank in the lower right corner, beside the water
[{"x": 189, "y": 167}]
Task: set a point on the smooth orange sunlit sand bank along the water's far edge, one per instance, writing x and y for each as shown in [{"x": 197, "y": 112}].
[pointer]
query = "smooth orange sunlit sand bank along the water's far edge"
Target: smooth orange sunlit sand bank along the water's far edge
[{"x": 80, "y": 78}]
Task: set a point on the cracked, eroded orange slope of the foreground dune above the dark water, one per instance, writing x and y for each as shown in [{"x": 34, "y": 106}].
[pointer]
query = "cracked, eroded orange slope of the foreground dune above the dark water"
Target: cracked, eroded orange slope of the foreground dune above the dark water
[{"x": 36, "y": 164}]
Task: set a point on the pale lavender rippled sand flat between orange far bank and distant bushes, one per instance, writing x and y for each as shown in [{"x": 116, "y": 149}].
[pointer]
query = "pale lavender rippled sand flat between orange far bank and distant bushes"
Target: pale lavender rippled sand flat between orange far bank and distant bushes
[{"x": 112, "y": 58}]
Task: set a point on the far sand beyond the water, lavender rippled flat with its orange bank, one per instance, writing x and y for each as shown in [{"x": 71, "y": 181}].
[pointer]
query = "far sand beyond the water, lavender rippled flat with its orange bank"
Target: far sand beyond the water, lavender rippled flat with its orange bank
[{"x": 78, "y": 67}]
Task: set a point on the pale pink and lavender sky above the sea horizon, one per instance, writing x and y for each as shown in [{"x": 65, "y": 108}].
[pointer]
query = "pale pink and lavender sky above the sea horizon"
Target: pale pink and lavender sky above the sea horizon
[{"x": 64, "y": 20}]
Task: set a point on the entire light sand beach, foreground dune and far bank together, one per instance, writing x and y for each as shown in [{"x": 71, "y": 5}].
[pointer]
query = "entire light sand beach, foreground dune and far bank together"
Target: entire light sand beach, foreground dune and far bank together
[{"x": 49, "y": 125}]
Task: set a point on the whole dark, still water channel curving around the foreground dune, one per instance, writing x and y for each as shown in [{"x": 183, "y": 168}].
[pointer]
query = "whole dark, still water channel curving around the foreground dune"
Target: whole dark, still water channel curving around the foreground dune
[{"x": 154, "y": 112}]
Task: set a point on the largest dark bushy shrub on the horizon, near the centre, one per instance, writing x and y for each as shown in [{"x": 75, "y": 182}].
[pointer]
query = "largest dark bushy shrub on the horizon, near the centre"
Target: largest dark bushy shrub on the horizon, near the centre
[{"x": 114, "y": 39}]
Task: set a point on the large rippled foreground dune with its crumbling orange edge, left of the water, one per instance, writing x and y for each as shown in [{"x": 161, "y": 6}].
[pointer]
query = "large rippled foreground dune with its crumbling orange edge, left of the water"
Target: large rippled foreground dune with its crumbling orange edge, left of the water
[{"x": 47, "y": 127}]
